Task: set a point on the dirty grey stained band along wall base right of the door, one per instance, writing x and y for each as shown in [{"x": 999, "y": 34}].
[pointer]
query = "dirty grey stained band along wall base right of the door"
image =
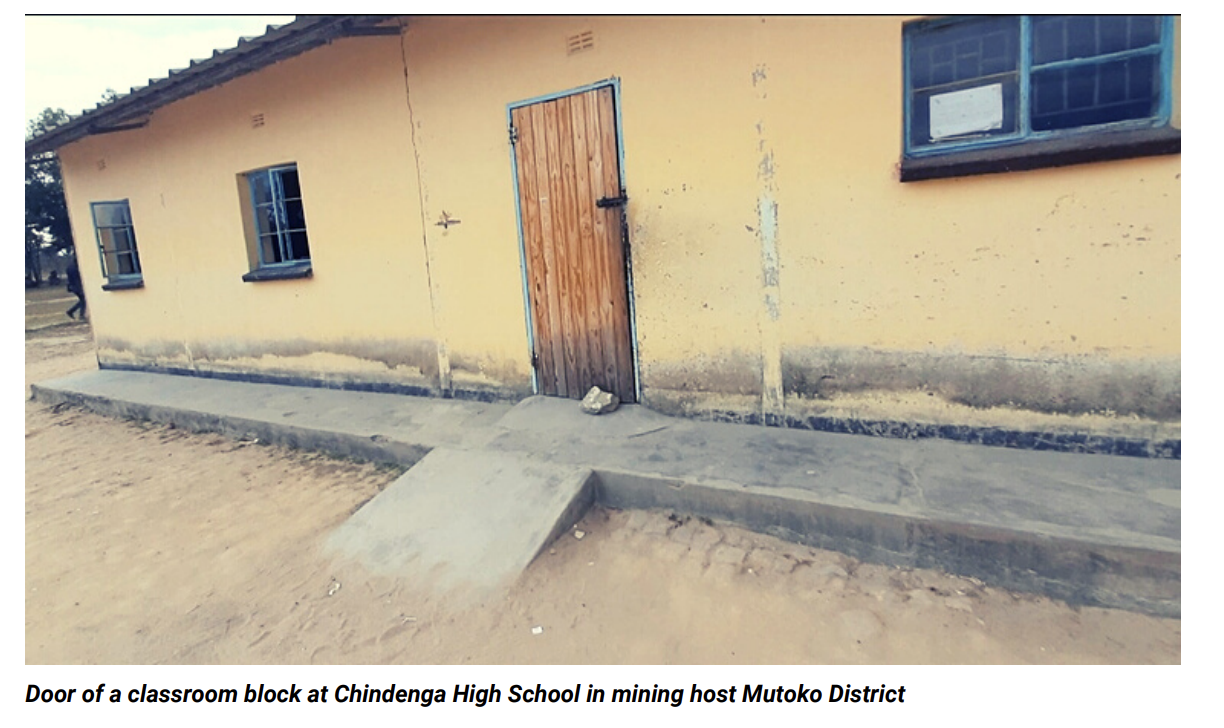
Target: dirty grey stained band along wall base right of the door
[{"x": 1150, "y": 390}]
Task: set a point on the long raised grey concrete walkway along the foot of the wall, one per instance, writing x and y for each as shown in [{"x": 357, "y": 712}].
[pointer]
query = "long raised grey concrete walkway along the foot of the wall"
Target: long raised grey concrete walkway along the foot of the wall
[{"x": 1088, "y": 529}]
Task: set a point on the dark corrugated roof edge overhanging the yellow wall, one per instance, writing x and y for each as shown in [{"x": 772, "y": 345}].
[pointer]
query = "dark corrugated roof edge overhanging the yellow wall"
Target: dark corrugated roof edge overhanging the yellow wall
[{"x": 132, "y": 110}]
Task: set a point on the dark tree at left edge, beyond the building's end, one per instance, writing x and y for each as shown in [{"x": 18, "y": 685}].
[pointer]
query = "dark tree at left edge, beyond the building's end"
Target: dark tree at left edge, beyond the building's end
[{"x": 47, "y": 216}]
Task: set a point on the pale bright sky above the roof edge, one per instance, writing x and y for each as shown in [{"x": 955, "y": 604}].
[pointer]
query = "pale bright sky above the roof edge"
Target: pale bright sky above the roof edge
[{"x": 72, "y": 61}]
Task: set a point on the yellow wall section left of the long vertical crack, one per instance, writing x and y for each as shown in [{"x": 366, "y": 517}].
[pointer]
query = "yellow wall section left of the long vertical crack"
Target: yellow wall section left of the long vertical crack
[{"x": 341, "y": 116}]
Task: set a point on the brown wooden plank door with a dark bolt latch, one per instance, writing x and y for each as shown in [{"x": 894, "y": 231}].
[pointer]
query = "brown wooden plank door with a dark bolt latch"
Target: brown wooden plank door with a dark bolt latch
[{"x": 572, "y": 212}]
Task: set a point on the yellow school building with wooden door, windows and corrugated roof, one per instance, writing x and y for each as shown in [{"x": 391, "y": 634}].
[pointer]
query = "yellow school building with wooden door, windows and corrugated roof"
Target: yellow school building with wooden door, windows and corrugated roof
[{"x": 846, "y": 223}]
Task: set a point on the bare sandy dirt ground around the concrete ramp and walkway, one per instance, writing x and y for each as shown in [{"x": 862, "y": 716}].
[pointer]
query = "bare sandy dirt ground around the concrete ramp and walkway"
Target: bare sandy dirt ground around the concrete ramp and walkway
[{"x": 150, "y": 545}]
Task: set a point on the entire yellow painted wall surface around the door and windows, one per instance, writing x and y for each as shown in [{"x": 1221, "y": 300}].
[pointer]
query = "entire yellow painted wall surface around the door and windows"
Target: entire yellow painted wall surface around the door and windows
[{"x": 778, "y": 261}]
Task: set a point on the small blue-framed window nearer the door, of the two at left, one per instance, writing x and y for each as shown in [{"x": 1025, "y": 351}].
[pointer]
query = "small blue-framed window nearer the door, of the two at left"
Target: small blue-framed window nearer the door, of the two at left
[{"x": 282, "y": 249}]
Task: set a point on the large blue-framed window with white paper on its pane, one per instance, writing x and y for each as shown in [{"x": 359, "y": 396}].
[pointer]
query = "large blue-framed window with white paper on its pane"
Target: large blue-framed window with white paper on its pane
[{"x": 975, "y": 83}]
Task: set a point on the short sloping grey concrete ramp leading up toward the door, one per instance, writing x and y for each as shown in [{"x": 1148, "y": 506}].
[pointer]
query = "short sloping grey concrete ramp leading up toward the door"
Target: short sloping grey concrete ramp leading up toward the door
[{"x": 469, "y": 521}]
